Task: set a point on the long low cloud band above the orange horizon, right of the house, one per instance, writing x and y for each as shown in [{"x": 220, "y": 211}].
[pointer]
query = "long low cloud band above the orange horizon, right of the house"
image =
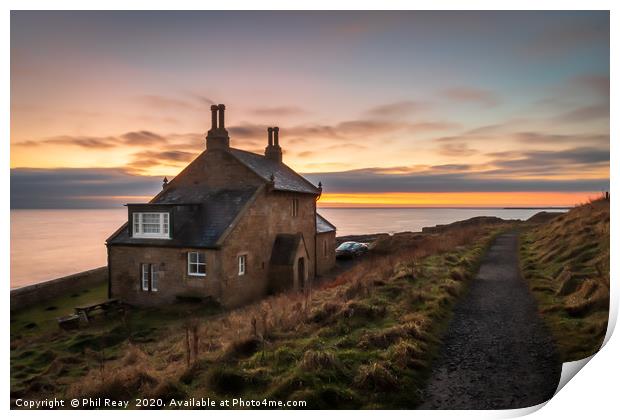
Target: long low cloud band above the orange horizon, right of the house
[{"x": 510, "y": 171}]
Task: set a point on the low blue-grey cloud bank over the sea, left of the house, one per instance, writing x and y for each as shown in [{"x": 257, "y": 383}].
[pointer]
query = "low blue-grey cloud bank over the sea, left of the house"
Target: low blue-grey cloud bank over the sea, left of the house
[{"x": 77, "y": 188}]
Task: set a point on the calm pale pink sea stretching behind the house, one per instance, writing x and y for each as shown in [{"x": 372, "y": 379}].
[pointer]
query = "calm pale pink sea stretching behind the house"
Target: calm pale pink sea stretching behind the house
[{"x": 47, "y": 244}]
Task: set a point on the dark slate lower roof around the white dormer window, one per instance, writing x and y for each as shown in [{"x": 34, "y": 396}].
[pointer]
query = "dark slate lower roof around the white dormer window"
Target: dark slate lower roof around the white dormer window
[{"x": 200, "y": 226}]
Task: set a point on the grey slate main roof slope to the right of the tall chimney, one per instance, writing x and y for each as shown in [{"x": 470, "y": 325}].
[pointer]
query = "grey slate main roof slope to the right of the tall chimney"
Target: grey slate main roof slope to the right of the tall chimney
[{"x": 285, "y": 179}]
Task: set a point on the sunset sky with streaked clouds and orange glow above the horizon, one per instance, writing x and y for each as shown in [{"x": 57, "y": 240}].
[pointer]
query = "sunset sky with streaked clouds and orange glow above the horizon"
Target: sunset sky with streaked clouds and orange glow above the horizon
[{"x": 384, "y": 108}]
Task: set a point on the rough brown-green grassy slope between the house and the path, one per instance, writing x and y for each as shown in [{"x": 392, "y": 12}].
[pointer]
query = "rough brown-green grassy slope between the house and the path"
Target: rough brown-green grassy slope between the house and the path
[{"x": 363, "y": 340}]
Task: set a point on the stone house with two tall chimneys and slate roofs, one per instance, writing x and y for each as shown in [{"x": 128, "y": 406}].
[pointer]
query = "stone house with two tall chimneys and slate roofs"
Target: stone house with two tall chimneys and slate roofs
[{"x": 232, "y": 226}]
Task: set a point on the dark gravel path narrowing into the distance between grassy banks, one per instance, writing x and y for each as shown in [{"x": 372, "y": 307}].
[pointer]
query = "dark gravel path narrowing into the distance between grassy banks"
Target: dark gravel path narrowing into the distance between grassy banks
[{"x": 496, "y": 352}]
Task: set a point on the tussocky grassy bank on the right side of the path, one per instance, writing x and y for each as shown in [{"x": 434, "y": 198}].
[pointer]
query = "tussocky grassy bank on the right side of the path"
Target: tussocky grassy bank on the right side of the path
[{"x": 566, "y": 261}]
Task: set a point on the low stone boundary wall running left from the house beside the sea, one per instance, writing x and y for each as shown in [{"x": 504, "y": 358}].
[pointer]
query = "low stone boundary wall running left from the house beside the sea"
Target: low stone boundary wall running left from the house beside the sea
[{"x": 39, "y": 292}]
